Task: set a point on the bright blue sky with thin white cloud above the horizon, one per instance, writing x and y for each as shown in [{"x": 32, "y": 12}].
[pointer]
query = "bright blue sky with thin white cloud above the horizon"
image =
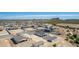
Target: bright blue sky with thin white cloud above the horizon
[{"x": 39, "y": 15}]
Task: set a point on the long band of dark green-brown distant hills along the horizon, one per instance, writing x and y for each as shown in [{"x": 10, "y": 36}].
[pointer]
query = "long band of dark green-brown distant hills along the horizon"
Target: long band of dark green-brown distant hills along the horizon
[{"x": 53, "y": 20}]
